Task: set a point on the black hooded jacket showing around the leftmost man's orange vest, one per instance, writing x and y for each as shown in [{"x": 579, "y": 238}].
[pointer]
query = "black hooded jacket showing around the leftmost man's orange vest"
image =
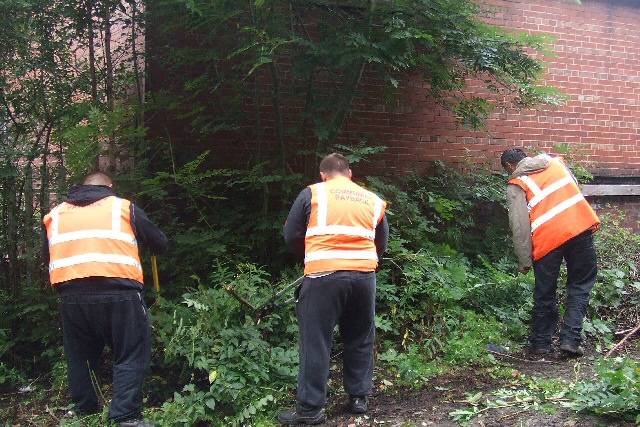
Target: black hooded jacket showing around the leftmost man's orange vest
[{"x": 146, "y": 233}]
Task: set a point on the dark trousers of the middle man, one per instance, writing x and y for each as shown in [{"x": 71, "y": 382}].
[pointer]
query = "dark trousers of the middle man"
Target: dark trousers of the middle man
[{"x": 345, "y": 298}]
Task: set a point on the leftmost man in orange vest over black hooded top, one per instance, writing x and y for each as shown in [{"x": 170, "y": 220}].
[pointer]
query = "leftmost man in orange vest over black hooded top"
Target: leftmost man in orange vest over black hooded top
[{"x": 91, "y": 248}]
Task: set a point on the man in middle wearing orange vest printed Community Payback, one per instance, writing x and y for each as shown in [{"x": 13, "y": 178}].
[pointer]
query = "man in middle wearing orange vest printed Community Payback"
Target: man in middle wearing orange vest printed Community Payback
[{"x": 341, "y": 231}]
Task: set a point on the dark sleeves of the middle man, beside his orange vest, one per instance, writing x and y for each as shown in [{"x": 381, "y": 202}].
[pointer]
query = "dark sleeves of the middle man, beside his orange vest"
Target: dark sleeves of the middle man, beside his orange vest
[{"x": 295, "y": 228}]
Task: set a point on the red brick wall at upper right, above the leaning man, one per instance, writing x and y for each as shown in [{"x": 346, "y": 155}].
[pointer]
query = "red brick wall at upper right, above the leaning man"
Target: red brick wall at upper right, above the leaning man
[{"x": 597, "y": 64}]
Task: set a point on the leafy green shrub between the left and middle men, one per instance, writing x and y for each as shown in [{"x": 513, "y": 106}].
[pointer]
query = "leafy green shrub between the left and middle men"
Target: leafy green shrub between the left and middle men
[{"x": 233, "y": 367}]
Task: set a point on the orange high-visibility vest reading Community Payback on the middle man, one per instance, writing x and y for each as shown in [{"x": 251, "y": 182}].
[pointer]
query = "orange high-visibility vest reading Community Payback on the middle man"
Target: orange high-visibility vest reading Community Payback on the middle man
[{"x": 341, "y": 230}]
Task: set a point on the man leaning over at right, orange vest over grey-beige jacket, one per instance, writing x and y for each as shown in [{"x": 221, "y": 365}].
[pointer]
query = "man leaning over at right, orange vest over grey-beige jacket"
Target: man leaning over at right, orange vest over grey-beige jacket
[{"x": 551, "y": 221}]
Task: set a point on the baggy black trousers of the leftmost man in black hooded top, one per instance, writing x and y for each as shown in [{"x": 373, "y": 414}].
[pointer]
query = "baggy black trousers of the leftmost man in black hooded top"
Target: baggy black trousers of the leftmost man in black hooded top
[{"x": 119, "y": 320}]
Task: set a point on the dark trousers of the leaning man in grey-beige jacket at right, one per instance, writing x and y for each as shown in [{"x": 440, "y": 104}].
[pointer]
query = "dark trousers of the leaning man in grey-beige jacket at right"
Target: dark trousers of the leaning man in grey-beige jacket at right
[{"x": 580, "y": 255}]
